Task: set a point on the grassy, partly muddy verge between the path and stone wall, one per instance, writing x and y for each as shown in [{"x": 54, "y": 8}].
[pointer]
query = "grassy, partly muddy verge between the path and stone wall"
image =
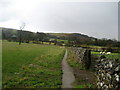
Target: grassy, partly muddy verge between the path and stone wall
[{"x": 81, "y": 75}]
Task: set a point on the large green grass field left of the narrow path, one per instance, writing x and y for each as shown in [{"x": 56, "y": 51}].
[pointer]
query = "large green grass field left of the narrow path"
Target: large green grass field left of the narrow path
[{"x": 31, "y": 65}]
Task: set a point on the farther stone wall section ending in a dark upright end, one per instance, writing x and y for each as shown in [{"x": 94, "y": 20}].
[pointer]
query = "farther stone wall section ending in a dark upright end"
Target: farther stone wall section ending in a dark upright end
[{"x": 83, "y": 56}]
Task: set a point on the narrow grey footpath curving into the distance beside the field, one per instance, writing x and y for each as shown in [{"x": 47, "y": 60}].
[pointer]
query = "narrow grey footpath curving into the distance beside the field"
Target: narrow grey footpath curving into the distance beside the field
[{"x": 68, "y": 77}]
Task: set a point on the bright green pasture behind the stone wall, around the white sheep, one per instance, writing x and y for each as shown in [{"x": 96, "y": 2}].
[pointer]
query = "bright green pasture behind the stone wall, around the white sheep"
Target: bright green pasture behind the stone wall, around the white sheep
[{"x": 111, "y": 56}]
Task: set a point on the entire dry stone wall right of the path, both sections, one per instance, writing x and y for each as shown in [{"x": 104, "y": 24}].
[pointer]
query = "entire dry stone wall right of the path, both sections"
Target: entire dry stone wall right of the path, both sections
[{"x": 107, "y": 71}]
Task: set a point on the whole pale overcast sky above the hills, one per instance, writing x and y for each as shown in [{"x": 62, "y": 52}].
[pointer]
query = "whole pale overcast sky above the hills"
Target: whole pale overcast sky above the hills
[{"x": 93, "y": 18}]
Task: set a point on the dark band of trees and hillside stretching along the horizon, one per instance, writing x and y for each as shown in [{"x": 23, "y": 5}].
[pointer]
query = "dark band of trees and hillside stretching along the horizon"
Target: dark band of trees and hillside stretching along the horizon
[{"x": 73, "y": 39}]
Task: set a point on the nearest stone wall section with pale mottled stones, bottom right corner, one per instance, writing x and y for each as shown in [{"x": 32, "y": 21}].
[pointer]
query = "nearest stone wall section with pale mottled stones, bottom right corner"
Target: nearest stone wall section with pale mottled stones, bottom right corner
[{"x": 108, "y": 74}]
